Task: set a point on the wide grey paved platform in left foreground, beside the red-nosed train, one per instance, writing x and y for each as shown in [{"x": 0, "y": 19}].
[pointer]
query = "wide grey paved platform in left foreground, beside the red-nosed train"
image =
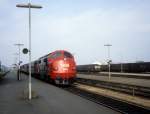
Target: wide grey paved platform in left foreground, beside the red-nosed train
[{"x": 50, "y": 100}]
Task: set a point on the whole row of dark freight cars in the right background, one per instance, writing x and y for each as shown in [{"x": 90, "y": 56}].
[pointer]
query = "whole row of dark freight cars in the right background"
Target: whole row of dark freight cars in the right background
[{"x": 138, "y": 67}]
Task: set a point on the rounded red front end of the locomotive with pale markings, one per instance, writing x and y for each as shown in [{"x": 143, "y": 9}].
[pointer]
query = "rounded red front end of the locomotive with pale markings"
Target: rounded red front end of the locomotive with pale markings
[{"x": 63, "y": 69}]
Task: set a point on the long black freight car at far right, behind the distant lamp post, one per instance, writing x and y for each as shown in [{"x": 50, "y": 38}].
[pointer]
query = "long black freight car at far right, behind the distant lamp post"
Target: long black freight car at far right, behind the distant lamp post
[{"x": 128, "y": 67}]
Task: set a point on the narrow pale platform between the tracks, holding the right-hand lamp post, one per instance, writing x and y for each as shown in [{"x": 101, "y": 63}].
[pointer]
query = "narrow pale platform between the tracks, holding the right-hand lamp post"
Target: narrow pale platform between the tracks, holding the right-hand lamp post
[{"x": 123, "y": 80}]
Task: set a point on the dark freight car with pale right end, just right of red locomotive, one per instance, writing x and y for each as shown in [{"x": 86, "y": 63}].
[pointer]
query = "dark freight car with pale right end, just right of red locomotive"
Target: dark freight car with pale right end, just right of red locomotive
[{"x": 89, "y": 68}]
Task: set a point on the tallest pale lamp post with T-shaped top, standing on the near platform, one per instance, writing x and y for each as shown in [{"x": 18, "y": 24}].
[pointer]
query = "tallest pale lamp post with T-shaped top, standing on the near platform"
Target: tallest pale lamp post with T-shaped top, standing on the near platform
[{"x": 29, "y": 5}]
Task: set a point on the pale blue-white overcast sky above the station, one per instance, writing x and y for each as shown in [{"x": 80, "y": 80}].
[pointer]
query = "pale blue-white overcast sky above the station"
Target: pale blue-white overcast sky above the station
[{"x": 80, "y": 26}]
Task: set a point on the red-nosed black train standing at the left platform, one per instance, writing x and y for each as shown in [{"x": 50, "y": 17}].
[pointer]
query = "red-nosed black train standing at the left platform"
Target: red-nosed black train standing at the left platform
[{"x": 58, "y": 67}]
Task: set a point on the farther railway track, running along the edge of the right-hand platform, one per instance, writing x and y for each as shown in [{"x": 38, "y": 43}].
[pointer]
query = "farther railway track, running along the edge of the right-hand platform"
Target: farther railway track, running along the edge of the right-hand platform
[{"x": 125, "y": 88}]
